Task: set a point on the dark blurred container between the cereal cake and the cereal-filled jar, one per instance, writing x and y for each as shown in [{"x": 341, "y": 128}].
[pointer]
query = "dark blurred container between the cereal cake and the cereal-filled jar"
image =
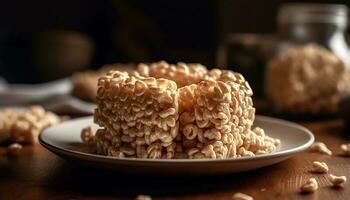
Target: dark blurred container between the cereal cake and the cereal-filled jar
[{"x": 246, "y": 53}]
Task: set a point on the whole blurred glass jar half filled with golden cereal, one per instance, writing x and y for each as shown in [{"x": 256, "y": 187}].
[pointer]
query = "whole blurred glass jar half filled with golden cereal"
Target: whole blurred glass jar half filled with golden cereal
[{"x": 308, "y": 73}]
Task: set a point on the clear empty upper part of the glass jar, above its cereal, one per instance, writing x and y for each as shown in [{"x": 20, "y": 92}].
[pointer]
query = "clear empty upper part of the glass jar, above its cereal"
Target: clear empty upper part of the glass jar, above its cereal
[{"x": 324, "y": 24}]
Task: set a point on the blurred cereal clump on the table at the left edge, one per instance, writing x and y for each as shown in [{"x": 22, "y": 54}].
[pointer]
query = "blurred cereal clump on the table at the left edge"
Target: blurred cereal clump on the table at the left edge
[{"x": 24, "y": 126}]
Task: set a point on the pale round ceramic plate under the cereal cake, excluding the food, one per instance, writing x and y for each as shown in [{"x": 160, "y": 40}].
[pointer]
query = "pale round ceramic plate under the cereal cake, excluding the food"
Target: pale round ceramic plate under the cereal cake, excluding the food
[{"x": 64, "y": 140}]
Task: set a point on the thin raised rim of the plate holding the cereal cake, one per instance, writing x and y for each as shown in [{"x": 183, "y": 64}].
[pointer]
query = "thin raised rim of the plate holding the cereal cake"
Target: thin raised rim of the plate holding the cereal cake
[{"x": 287, "y": 152}]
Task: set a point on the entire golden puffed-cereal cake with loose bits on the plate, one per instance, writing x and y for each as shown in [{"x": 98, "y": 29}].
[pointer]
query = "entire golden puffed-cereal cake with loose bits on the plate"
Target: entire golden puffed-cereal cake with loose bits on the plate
[{"x": 152, "y": 113}]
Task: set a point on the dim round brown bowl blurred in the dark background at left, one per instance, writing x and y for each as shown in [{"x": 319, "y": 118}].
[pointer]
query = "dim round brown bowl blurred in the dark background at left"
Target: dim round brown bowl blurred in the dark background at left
[{"x": 58, "y": 54}]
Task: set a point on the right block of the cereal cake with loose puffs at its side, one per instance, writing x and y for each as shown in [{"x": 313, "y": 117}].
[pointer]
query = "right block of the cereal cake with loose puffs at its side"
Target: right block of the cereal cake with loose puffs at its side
[{"x": 216, "y": 118}]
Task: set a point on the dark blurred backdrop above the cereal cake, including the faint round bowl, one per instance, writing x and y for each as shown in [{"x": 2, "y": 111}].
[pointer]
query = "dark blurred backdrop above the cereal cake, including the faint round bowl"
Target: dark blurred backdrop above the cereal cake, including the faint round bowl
[{"x": 46, "y": 40}]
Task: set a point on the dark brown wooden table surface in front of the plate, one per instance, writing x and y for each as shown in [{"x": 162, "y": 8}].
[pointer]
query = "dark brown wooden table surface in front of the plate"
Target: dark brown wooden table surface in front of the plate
[{"x": 39, "y": 174}]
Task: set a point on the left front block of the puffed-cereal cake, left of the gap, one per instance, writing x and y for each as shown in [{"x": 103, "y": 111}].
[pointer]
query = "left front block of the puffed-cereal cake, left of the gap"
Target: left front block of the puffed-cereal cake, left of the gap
[{"x": 140, "y": 112}]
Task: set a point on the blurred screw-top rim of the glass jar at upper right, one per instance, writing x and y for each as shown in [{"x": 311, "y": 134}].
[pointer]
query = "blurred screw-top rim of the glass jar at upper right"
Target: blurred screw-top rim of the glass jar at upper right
[{"x": 313, "y": 13}]
